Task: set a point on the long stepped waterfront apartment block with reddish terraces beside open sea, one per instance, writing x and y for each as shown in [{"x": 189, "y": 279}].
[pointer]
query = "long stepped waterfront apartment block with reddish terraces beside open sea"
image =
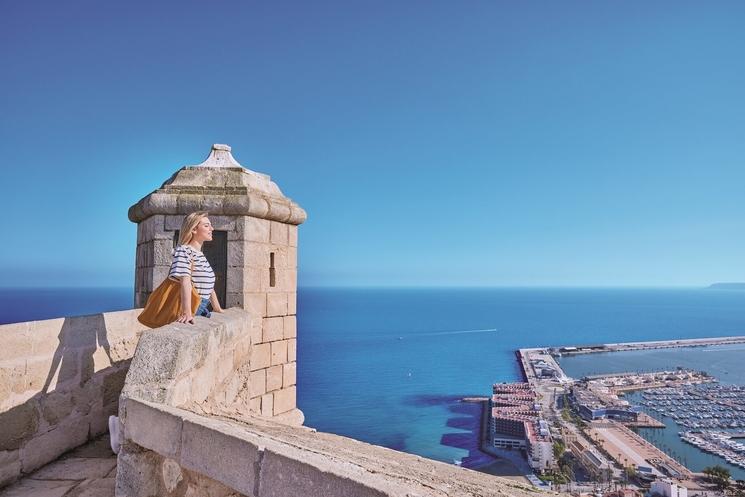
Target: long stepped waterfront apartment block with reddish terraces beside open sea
[{"x": 516, "y": 423}]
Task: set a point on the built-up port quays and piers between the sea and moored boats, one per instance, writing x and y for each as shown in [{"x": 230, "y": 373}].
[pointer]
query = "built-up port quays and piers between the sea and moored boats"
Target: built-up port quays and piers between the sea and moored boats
[{"x": 601, "y": 414}]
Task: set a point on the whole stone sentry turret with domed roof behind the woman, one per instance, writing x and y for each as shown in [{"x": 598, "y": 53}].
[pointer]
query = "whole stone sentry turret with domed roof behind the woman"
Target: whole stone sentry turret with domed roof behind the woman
[{"x": 260, "y": 226}]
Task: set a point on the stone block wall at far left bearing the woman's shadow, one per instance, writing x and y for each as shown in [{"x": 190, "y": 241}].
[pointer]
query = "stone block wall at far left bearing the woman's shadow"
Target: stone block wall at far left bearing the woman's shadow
[{"x": 60, "y": 379}]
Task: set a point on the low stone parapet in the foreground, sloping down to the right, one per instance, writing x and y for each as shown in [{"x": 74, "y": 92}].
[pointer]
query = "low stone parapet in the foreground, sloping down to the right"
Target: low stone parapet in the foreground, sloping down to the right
[{"x": 174, "y": 452}]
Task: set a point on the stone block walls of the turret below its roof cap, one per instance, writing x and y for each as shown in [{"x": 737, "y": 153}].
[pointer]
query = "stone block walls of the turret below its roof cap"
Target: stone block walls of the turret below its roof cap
[{"x": 261, "y": 278}]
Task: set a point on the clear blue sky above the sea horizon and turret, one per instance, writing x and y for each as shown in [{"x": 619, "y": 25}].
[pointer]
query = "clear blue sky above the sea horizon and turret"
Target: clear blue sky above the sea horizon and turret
[{"x": 431, "y": 143}]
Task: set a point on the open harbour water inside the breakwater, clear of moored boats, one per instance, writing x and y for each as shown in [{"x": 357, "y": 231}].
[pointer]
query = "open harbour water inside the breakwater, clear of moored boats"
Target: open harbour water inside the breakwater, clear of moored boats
[{"x": 725, "y": 362}]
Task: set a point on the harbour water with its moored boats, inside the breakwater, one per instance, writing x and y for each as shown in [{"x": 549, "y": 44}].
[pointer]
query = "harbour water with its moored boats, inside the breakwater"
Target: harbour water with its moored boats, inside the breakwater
[{"x": 683, "y": 409}]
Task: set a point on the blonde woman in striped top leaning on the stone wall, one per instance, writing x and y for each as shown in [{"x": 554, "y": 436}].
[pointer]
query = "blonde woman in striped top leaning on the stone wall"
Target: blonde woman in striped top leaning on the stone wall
[{"x": 190, "y": 266}]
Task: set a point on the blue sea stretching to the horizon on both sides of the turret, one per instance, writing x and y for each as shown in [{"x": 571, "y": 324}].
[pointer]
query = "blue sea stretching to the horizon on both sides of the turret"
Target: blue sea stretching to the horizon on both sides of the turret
[{"x": 389, "y": 366}]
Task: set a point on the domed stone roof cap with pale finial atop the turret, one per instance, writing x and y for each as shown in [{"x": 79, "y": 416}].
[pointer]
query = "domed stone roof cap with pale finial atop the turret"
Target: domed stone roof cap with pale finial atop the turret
[{"x": 220, "y": 186}]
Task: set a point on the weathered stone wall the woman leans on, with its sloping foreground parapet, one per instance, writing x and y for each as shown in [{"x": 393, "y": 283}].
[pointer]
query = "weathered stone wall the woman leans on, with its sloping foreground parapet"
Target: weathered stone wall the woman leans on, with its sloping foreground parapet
[{"x": 186, "y": 432}]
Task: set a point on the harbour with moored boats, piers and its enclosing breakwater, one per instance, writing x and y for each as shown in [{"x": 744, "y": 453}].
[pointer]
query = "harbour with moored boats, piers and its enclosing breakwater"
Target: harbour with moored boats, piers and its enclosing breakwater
[{"x": 660, "y": 389}]
